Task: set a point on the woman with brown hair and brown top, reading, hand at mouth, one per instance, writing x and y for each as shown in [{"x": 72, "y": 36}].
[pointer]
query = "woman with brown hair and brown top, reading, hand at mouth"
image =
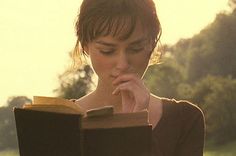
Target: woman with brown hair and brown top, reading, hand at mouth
[{"x": 119, "y": 37}]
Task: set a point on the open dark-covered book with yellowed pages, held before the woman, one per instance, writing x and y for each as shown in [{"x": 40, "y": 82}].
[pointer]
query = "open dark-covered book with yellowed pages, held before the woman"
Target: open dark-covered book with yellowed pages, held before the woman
[{"x": 56, "y": 126}]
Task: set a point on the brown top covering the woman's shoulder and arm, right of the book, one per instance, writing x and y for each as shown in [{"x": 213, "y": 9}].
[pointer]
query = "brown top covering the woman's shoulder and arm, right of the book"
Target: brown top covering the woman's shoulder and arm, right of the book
[{"x": 182, "y": 126}]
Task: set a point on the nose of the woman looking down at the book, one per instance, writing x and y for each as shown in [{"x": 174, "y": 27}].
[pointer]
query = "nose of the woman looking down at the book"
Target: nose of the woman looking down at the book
[{"x": 122, "y": 62}]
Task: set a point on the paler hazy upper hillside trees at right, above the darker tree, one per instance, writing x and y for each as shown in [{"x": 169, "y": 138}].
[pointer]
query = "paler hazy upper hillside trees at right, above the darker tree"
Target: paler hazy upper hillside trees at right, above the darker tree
[{"x": 212, "y": 51}]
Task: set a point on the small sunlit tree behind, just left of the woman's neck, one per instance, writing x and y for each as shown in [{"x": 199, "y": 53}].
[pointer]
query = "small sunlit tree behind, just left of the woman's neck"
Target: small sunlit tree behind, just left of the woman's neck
[{"x": 76, "y": 84}]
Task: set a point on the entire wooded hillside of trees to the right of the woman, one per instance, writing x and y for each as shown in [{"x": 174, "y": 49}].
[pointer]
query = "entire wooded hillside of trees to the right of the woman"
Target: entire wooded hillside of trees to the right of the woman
[{"x": 202, "y": 69}]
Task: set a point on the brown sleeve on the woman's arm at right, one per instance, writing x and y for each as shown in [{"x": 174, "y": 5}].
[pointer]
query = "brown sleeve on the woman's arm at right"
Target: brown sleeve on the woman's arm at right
[{"x": 191, "y": 141}]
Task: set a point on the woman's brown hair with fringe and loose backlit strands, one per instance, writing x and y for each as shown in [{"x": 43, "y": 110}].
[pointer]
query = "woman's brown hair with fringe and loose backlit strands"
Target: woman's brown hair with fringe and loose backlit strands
[{"x": 117, "y": 18}]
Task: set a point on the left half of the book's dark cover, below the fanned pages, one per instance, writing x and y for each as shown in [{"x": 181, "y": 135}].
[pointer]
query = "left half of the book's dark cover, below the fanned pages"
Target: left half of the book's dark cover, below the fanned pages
[{"x": 48, "y": 134}]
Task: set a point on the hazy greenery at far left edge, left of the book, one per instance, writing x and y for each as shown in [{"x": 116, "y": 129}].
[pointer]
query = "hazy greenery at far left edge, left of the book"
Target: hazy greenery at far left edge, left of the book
[{"x": 7, "y": 122}]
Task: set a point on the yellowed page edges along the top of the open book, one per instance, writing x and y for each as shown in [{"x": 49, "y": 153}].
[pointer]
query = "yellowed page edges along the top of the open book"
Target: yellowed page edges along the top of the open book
[{"x": 96, "y": 118}]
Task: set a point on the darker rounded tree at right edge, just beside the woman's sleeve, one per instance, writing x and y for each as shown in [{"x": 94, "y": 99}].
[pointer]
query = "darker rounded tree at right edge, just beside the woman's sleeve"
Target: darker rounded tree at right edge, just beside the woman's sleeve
[{"x": 216, "y": 97}]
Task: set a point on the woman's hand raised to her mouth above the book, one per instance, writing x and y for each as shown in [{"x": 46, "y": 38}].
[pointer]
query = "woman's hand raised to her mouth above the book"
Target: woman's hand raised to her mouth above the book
[{"x": 134, "y": 94}]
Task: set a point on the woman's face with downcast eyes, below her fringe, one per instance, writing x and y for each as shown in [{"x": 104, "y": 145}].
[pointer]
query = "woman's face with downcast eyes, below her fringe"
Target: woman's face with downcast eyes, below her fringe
[{"x": 111, "y": 57}]
